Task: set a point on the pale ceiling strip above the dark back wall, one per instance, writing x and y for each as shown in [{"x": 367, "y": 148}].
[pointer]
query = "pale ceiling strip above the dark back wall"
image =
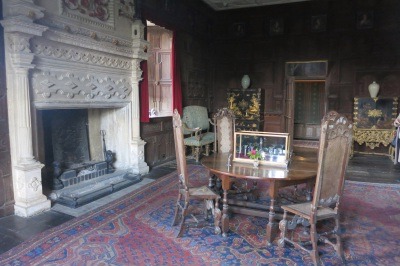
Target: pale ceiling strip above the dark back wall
[{"x": 220, "y": 5}]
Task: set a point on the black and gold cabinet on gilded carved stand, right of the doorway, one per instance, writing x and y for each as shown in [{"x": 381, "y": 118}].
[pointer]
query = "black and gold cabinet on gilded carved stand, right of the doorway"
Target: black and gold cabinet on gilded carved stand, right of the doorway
[{"x": 373, "y": 122}]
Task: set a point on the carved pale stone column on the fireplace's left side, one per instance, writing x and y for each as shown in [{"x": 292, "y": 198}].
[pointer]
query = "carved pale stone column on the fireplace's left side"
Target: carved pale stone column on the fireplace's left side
[{"x": 18, "y": 30}]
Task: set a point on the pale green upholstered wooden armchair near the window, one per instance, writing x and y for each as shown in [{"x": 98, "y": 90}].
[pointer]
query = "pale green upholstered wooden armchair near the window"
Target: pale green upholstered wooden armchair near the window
[{"x": 197, "y": 124}]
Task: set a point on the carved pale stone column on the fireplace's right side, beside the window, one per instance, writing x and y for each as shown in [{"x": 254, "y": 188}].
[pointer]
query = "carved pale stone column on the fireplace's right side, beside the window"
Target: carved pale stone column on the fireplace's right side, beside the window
[{"x": 137, "y": 144}]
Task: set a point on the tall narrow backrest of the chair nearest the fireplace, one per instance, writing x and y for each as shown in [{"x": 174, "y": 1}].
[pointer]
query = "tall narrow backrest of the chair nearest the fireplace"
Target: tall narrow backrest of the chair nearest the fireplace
[{"x": 179, "y": 148}]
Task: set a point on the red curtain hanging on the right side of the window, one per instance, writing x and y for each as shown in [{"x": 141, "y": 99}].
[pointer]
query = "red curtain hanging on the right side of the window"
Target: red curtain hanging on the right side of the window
[{"x": 176, "y": 78}]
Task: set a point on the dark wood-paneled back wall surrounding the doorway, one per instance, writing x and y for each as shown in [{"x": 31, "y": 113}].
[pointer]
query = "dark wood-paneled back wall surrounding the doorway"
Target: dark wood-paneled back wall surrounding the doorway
[{"x": 356, "y": 56}]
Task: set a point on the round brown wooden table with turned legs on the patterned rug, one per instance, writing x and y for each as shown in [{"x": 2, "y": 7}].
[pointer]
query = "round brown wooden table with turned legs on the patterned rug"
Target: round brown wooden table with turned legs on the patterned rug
[{"x": 299, "y": 171}]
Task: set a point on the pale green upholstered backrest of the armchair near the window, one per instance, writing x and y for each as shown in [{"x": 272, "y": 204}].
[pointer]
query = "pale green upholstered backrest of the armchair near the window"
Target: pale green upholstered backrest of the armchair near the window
[{"x": 195, "y": 116}]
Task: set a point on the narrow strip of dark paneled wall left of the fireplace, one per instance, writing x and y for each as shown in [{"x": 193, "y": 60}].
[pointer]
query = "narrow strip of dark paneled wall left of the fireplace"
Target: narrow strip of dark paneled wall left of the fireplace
[{"x": 6, "y": 187}]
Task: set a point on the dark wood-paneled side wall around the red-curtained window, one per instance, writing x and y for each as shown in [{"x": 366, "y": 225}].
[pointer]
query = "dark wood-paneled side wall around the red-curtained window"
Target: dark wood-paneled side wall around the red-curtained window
[{"x": 193, "y": 24}]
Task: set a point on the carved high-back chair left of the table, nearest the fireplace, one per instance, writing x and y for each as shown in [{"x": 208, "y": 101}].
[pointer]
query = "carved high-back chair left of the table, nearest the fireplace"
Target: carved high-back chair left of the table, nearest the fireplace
[{"x": 188, "y": 192}]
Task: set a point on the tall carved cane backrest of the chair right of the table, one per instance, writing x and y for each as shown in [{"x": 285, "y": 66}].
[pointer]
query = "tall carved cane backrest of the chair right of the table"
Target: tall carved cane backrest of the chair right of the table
[{"x": 334, "y": 149}]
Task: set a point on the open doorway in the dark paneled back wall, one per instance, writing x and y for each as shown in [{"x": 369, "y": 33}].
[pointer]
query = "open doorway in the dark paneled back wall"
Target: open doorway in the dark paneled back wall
[{"x": 308, "y": 109}]
